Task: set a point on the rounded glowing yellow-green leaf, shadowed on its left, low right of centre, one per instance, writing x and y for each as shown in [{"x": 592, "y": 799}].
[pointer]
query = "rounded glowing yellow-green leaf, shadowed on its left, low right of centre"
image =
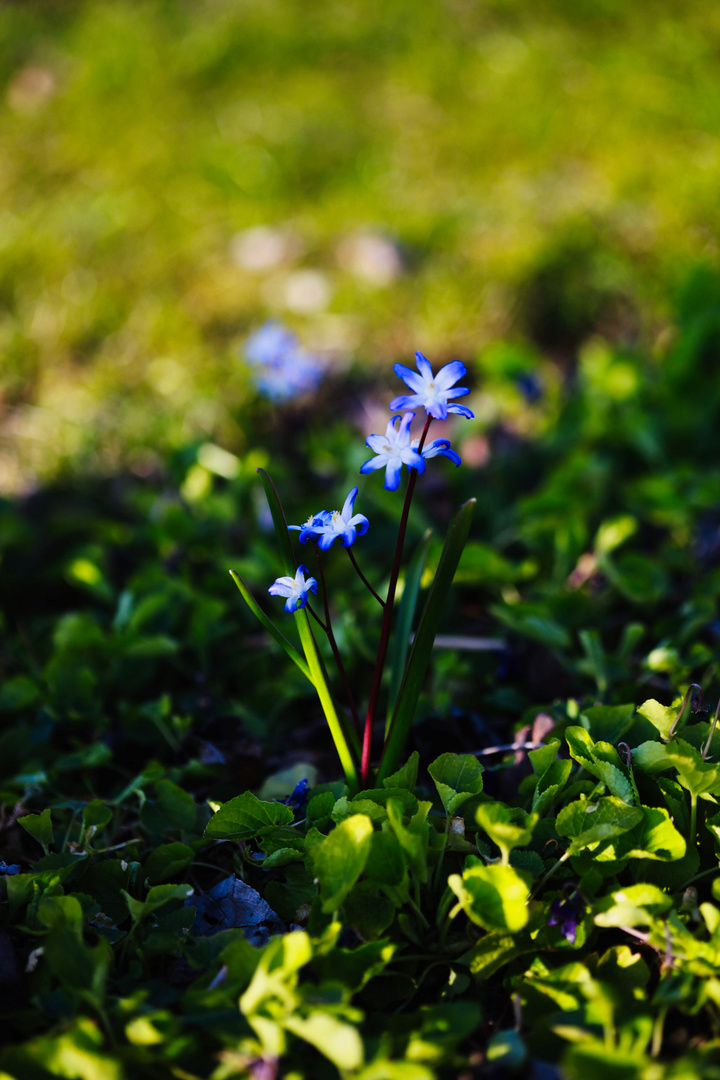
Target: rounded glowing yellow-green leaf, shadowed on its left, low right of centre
[{"x": 494, "y": 897}]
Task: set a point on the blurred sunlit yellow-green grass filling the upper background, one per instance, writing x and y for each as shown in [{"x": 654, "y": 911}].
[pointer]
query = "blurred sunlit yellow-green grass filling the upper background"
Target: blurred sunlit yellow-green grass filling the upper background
[{"x": 549, "y": 171}]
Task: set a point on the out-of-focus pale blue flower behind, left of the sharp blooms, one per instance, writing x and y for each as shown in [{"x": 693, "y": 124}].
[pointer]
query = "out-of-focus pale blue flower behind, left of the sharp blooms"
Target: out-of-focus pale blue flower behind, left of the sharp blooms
[{"x": 282, "y": 369}]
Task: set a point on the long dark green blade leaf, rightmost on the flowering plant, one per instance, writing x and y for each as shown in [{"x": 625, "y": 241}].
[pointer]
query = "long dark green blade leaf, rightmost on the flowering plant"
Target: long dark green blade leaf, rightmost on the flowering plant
[{"x": 425, "y": 639}]
